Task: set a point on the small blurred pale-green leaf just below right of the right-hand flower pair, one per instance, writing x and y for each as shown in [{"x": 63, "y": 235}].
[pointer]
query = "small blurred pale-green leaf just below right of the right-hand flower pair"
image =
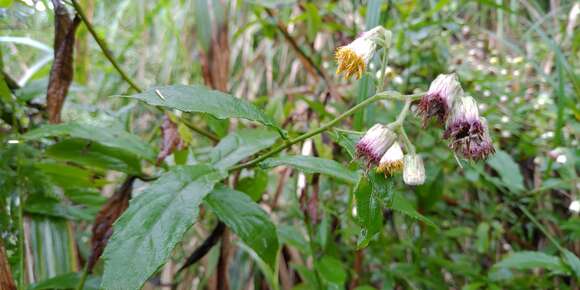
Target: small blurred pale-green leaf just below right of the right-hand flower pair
[{"x": 508, "y": 170}]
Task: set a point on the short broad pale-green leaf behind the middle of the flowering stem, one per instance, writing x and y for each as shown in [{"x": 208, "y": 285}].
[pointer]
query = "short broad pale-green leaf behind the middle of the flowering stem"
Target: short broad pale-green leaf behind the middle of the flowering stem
[{"x": 240, "y": 145}]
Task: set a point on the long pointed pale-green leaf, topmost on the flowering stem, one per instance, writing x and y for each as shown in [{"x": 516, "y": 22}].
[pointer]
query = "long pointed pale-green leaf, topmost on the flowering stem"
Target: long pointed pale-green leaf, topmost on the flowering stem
[{"x": 200, "y": 99}]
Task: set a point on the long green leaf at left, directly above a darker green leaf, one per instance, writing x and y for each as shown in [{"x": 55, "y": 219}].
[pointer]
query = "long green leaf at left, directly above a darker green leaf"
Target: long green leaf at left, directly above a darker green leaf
[{"x": 107, "y": 136}]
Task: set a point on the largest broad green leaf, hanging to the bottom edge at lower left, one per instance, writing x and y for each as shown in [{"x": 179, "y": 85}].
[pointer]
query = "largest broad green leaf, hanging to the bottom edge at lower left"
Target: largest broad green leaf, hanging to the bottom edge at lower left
[{"x": 154, "y": 223}]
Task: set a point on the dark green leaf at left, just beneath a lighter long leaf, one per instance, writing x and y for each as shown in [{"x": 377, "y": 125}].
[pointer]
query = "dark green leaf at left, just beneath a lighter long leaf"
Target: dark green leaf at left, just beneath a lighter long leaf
[{"x": 95, "y": 155}]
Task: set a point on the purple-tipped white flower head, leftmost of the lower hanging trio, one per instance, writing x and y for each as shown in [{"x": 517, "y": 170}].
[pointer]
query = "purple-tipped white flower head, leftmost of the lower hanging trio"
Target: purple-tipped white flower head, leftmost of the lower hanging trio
[{"x": 375, "y": 143}]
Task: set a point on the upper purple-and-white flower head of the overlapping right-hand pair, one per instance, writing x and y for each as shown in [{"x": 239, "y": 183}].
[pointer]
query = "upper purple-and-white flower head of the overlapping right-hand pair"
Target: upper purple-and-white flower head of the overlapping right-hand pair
[{"x": 438, "y": 101}]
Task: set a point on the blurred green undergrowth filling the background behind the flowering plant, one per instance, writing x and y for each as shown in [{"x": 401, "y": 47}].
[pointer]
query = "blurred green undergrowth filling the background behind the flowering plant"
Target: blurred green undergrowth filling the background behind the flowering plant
[{"x": 506, "y": 223}]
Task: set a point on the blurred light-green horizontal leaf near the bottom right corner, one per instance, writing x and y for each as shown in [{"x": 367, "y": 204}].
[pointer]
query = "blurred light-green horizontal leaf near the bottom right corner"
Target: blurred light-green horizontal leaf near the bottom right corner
[{"x": 529, "y": 260}]
